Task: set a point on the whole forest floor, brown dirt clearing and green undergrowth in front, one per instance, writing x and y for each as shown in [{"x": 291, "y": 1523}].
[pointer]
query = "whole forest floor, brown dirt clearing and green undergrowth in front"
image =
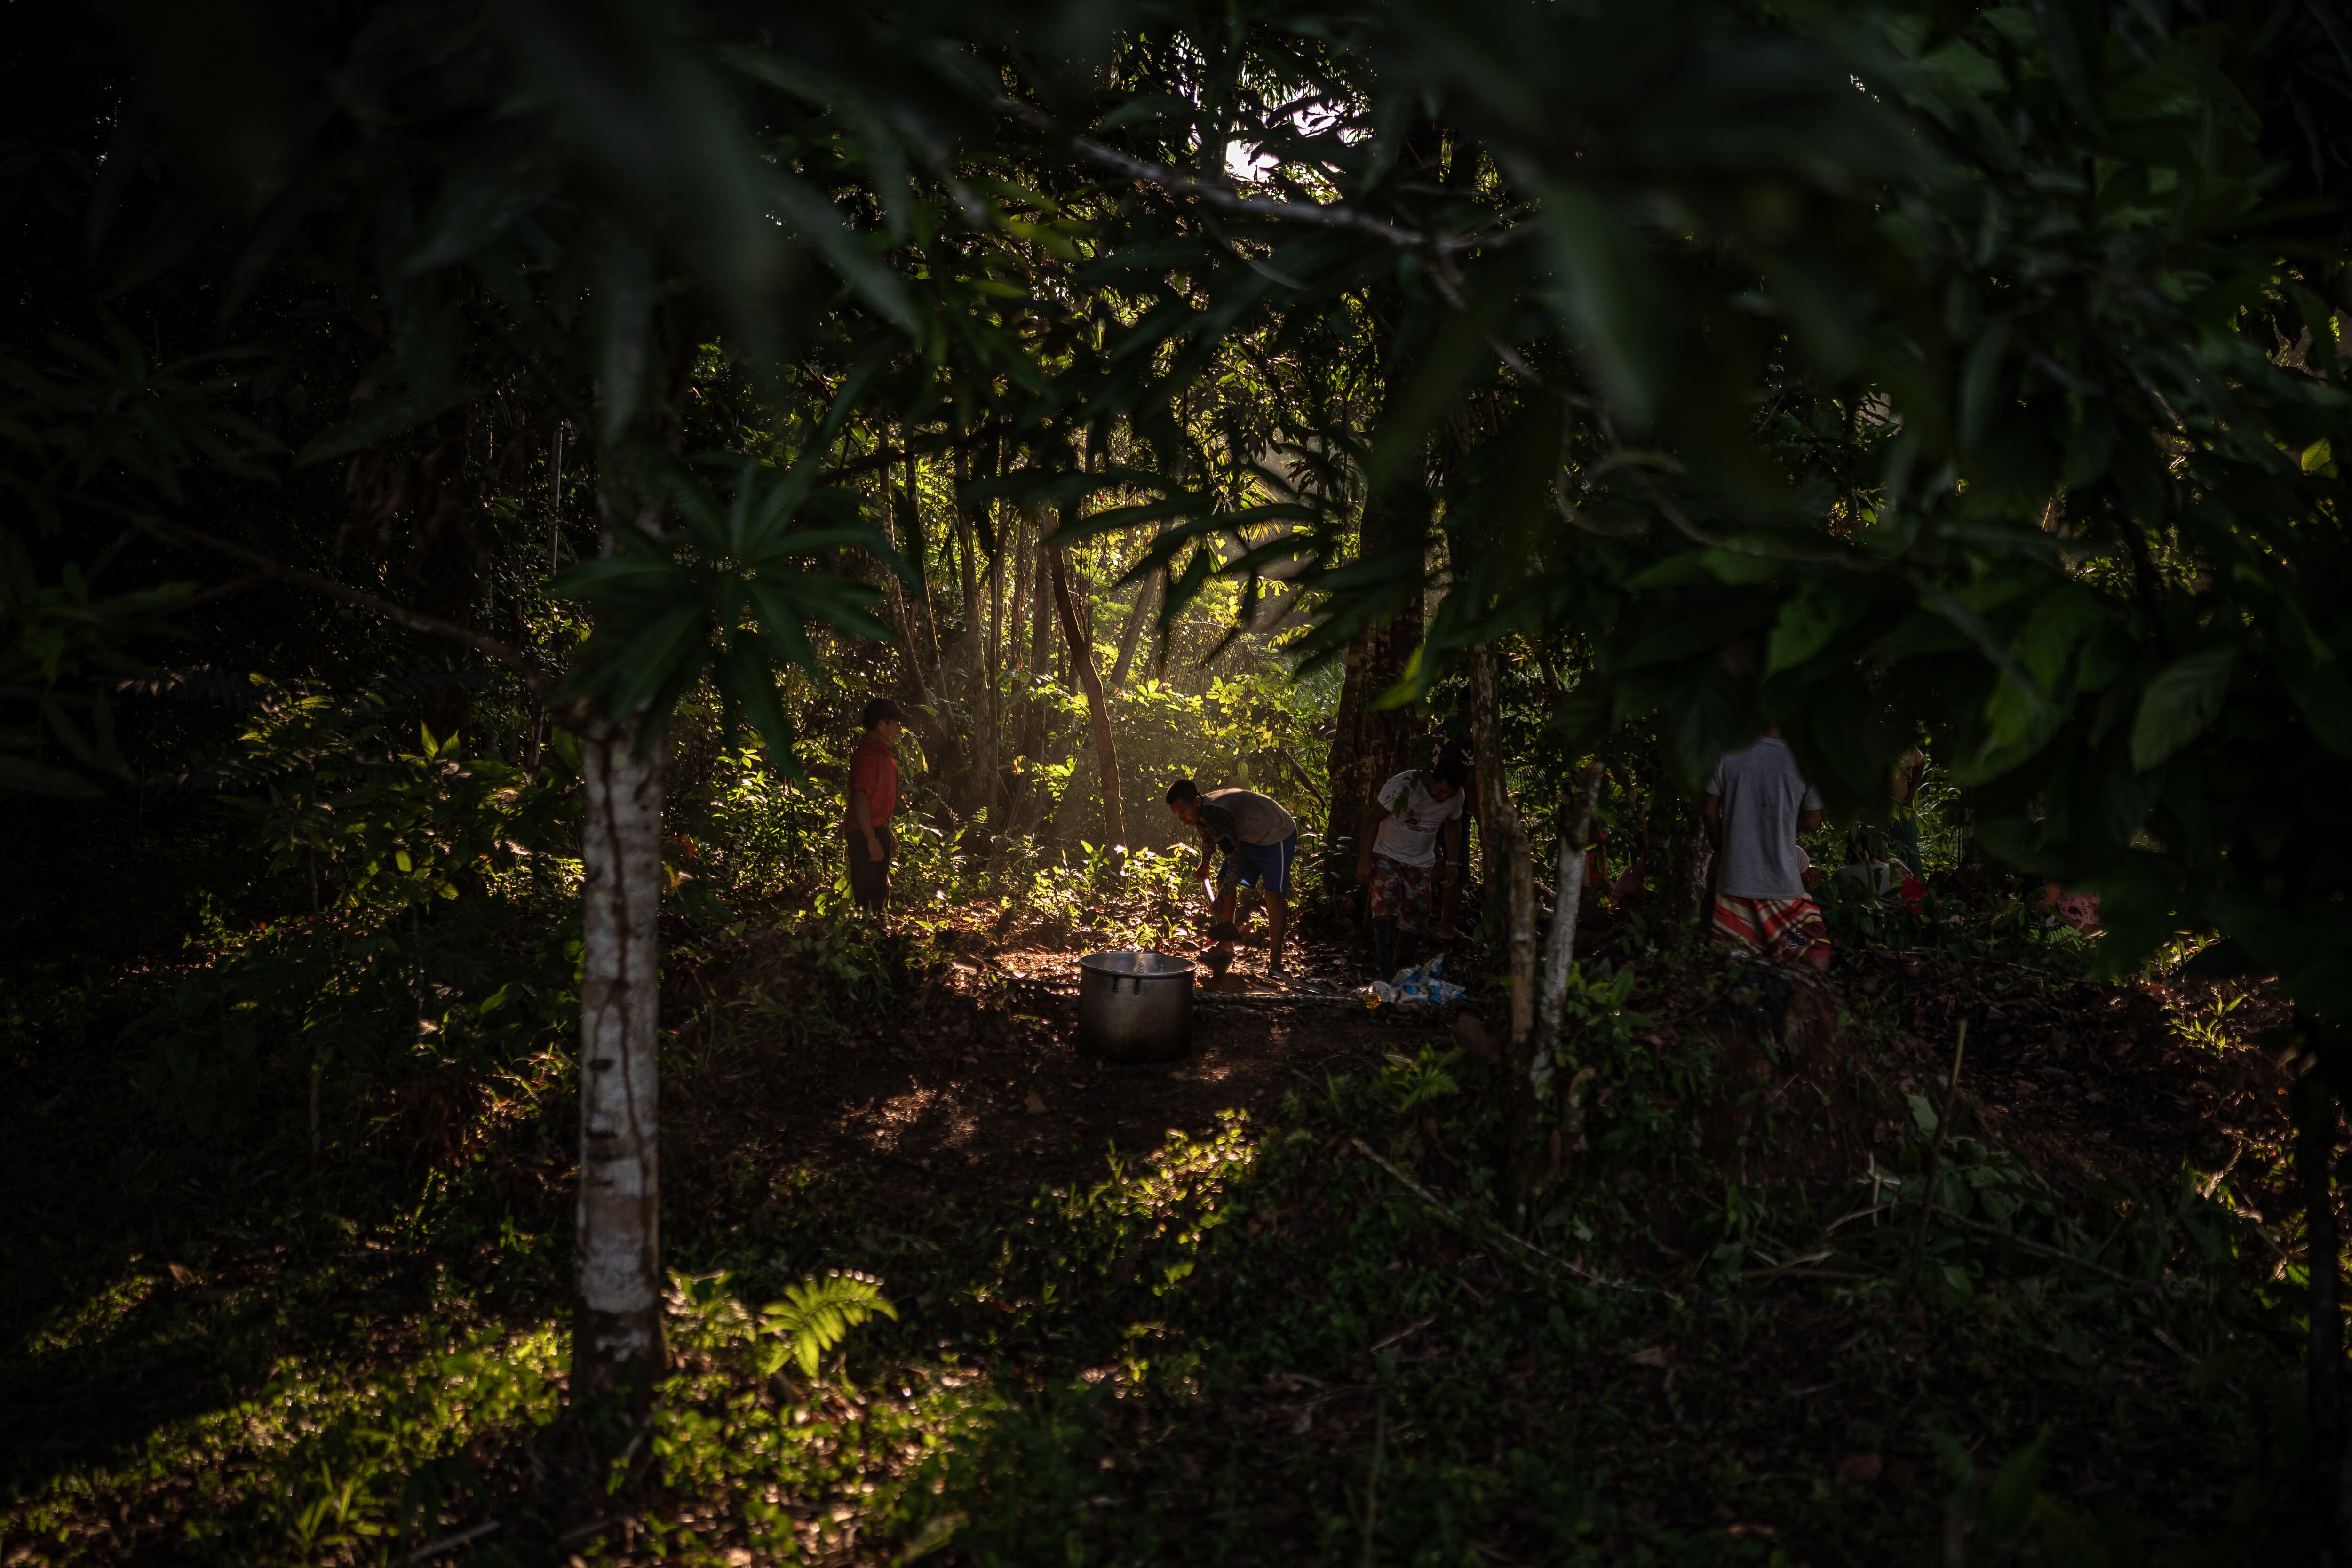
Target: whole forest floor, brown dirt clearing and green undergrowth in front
[{"x": 1236, "y": 1308}]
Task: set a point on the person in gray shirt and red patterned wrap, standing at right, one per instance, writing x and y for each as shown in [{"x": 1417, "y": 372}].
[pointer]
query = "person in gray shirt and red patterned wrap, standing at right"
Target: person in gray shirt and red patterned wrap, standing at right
[{"x": 1758, "y": 803}]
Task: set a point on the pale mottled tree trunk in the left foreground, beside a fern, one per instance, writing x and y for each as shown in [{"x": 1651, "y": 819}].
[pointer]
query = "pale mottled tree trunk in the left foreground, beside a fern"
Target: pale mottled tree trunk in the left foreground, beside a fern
[{"x": 617, "y": 1332}]
